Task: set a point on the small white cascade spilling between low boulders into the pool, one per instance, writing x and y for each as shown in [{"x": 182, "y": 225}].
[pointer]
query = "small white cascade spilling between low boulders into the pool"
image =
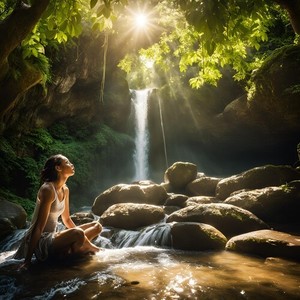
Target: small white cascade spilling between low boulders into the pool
[{"x": 155, "y": 235}]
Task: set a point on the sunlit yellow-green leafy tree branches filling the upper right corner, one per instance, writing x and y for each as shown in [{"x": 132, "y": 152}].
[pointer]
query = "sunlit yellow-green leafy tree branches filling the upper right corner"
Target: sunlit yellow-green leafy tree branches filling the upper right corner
[{"x": 210, "y": 35}]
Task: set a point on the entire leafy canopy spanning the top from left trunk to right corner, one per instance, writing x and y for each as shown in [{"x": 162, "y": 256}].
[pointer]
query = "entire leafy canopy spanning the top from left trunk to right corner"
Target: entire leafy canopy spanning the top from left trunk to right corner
[{"x": 203, "y": 36}]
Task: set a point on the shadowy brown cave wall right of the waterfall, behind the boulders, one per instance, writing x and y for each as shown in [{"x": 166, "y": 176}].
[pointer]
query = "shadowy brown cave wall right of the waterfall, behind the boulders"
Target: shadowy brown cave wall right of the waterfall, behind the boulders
[{"x": 225, "y": 131}]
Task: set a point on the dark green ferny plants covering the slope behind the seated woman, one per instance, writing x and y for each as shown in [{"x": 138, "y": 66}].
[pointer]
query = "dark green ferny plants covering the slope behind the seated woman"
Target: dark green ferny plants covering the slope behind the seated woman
[{"x": 22, "y": 159}]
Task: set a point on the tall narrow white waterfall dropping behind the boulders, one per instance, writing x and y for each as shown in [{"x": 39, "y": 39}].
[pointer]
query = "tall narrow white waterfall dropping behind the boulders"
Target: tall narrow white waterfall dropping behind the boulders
[{"x": 140, "y": 102}]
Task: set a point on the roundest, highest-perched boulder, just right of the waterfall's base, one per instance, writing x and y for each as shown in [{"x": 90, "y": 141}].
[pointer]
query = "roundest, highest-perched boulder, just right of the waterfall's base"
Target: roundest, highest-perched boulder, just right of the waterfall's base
[{"x": 180, "y": 174}]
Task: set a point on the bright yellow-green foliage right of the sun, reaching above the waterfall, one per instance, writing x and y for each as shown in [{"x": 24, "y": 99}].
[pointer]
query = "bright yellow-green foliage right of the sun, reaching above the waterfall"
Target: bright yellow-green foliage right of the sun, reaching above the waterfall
[{"x": 203, "y": 38}]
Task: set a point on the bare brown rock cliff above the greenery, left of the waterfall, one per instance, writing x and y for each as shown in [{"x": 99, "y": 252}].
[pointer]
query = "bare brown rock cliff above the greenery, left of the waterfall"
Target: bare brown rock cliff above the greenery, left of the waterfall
[{"x": 75, "y": 90}]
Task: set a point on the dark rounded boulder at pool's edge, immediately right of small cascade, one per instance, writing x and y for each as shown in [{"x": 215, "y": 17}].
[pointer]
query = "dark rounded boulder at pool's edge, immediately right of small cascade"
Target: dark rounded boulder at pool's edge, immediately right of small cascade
[{"x": 196, "y": 237}]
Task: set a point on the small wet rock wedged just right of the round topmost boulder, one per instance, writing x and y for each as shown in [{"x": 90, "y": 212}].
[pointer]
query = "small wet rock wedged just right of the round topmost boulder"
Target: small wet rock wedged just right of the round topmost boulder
[{"x": 203, "y": 186}]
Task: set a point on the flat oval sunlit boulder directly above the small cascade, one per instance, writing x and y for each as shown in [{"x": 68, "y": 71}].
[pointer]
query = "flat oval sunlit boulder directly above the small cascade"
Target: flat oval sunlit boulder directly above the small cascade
[{"x": 132, "y": 215}]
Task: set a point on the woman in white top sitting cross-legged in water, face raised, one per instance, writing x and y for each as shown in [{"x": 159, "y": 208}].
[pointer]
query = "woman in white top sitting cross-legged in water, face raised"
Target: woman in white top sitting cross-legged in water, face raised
[{"x": 42, "y": 239}]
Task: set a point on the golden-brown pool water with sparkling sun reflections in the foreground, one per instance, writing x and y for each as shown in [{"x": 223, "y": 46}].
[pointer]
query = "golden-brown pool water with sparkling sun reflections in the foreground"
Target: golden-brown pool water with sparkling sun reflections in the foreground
[{"x": 152, "y": 273}]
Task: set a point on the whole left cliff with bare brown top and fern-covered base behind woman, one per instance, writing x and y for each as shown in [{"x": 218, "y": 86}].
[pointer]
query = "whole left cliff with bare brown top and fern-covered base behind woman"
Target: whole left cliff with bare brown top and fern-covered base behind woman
[{"x": 70, "y": 118}]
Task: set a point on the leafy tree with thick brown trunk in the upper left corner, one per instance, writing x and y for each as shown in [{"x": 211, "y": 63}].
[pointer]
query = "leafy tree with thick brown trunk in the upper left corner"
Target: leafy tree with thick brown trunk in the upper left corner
[{"x": 28, "y": 29}]
